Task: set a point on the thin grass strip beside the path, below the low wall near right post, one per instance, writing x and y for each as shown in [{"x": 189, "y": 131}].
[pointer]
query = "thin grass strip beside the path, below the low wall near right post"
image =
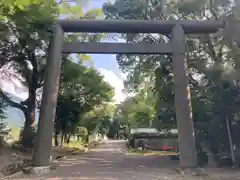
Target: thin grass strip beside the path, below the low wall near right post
[{"x": 149, "y": 153}]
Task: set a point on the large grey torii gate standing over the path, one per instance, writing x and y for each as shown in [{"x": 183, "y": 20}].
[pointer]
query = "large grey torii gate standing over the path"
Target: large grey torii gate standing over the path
[{"x": 176, "y": 48}]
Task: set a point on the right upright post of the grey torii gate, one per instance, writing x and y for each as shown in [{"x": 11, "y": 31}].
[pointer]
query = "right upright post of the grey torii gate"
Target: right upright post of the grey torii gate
[{"x": 186, "y": 137}]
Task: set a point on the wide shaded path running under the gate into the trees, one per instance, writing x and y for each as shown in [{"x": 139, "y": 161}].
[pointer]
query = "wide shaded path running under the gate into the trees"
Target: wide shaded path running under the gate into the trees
[{"x": 107, "y": 162}]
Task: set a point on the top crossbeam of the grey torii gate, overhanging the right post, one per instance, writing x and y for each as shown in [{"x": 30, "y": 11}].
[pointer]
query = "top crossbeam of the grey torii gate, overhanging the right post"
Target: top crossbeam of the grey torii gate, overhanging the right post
[{"x": 139, "y": 26}]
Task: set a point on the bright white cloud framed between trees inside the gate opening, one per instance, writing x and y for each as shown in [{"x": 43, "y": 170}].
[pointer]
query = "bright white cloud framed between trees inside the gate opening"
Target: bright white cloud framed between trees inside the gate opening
[{"x": 116, "y": 82}]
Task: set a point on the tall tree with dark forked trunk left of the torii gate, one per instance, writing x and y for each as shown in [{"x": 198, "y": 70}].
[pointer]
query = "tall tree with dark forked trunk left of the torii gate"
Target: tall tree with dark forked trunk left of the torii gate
[{"x": 28, "y": 54}]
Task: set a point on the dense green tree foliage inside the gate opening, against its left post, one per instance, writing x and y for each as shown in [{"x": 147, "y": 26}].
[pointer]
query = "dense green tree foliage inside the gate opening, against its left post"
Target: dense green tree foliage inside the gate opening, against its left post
[{"x": 81, "y": 90}]
